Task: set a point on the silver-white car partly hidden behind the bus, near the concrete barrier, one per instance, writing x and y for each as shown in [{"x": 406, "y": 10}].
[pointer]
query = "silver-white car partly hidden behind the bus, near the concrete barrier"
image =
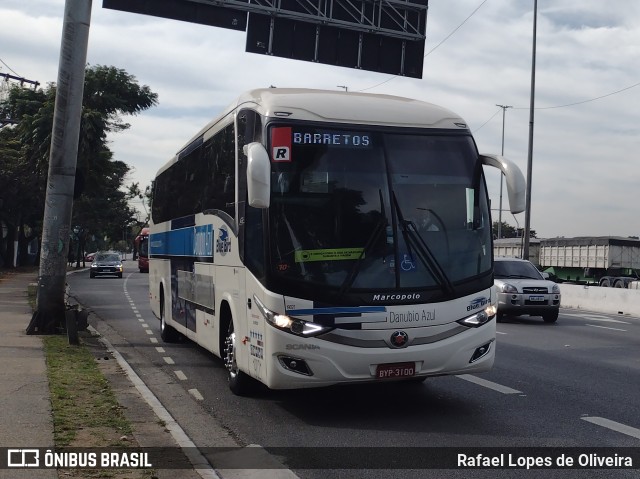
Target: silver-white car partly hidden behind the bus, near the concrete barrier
[{"x": 522, "y": 289}]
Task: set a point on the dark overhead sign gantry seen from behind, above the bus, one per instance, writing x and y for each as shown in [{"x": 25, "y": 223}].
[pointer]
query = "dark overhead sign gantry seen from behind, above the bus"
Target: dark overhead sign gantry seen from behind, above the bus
[{"x": 385, "y": 36}]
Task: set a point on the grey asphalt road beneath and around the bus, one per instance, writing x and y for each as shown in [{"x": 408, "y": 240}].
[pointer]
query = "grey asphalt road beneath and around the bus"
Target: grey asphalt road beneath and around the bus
[{"x": 574, "y": 384}]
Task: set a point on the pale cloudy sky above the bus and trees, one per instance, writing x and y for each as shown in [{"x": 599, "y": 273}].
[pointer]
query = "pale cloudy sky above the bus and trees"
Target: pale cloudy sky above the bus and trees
[{"x": 478, "y": 54}]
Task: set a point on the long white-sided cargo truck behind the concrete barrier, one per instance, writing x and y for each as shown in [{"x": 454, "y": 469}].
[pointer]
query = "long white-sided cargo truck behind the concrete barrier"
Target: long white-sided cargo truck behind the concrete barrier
[{"x": 597, "y": 260}]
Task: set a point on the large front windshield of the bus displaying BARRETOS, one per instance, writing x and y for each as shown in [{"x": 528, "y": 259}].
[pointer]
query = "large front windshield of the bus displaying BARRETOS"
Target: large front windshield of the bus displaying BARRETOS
[{"x": 374, "y": 210}]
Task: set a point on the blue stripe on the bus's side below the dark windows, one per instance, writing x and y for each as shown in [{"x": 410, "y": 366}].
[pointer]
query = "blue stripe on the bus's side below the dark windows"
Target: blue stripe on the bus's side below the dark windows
[{"x": 194, "y": 242}]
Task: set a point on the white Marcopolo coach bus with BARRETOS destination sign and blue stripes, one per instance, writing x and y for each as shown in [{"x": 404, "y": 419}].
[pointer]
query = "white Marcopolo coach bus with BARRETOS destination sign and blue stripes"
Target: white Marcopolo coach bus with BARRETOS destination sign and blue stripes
[{"x": 312, "y": 238}]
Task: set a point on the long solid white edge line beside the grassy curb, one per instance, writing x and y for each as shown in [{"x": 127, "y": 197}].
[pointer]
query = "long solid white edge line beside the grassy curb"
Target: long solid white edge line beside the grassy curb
[{"x": 200, "y": 463}]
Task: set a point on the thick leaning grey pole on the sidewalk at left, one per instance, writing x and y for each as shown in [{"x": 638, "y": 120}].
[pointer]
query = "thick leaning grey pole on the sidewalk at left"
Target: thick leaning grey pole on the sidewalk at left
[{"x": 50, "y": 306}]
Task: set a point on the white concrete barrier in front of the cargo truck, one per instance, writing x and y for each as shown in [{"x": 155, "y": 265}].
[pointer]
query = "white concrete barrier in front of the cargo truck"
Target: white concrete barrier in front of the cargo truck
[{"x": 606, "y": 300}]
